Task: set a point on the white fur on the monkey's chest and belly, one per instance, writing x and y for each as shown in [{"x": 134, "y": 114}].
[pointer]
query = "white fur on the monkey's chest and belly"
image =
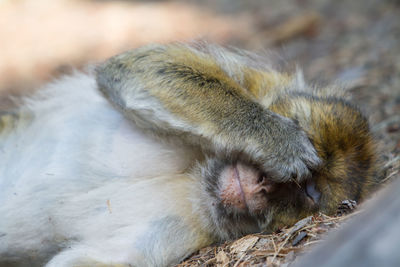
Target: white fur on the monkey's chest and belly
[{"x": 74, "y": 177}]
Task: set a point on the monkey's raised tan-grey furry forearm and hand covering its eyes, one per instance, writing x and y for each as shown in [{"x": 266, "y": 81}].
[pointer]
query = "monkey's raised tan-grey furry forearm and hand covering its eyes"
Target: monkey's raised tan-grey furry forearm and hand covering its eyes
[{"x": 174, "y": 90}]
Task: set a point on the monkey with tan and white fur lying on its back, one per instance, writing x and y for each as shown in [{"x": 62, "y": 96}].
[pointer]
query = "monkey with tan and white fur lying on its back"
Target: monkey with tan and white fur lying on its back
[{"x": 164, "y": 149}]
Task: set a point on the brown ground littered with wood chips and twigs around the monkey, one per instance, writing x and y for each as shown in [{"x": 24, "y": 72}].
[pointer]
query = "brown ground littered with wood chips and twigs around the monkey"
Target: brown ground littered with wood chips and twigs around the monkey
[{"x": 354, "y": 43}]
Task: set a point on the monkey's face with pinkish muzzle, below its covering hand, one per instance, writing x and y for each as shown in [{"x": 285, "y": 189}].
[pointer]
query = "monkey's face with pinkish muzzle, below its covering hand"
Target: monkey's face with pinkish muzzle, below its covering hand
[{"x": 245, "y": 200}]
